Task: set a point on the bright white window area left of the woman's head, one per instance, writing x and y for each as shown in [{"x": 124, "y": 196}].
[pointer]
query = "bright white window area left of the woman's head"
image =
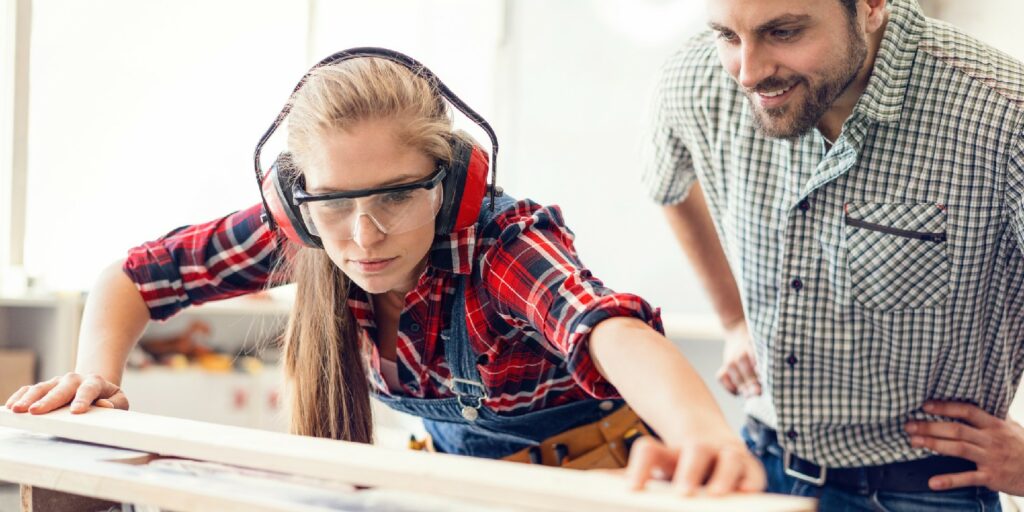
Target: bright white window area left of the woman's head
[{"x": 144, "y": 117}]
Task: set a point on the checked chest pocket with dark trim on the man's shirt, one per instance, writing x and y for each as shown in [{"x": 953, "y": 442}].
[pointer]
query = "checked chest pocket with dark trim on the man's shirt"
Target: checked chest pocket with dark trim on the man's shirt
[{"x": 898, "y": 255}]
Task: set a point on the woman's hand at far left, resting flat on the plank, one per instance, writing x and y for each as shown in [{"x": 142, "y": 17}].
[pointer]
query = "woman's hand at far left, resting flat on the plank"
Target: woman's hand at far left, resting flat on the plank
[{"x": 79, "y": 391}]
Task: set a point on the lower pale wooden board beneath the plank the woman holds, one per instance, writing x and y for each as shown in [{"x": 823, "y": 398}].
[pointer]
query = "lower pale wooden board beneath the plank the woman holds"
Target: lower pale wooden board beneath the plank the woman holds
[{"x": 74, "y": 468}]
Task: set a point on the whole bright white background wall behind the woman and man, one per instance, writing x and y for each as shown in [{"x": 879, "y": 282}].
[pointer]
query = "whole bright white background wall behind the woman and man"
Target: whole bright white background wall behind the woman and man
[{"x": 144, "y": 115}]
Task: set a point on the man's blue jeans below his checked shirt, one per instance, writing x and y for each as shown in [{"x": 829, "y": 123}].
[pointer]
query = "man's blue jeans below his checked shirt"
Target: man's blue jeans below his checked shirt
[{"x": 832, "y": 498}]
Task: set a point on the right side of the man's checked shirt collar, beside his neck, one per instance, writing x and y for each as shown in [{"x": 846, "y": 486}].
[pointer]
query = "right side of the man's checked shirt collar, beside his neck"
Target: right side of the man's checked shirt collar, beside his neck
[{"x": 883, "y": 100}]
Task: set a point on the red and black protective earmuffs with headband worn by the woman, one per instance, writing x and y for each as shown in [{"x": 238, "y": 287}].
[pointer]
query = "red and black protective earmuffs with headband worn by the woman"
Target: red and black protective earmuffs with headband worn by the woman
[{"x": 464, "y": 186}]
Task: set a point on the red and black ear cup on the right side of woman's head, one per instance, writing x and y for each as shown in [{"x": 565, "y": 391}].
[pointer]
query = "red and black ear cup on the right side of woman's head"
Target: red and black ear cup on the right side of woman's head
[{"x": 464, "y": 188}]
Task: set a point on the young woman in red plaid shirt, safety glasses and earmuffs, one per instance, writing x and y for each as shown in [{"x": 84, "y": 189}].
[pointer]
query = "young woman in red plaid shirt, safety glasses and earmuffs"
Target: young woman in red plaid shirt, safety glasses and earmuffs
[{"x": 420, "y": 285}]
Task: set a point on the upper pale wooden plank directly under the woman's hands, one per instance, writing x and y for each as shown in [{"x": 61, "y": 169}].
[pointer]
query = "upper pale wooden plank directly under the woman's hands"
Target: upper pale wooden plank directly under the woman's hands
[{"x": 485, "y": 481}]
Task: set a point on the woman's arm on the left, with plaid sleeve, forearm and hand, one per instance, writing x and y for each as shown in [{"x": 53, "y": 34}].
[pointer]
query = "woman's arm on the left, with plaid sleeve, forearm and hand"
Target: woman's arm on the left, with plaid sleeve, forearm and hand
[{"x": 231, "y": 257}]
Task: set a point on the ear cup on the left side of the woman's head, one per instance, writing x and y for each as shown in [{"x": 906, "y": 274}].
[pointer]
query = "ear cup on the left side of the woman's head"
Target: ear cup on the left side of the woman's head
[{"x": 277, "y": 190}]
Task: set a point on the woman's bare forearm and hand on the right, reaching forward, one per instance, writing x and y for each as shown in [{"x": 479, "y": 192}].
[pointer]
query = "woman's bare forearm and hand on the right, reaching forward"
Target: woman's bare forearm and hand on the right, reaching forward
[{"x": 660, "y": 385}]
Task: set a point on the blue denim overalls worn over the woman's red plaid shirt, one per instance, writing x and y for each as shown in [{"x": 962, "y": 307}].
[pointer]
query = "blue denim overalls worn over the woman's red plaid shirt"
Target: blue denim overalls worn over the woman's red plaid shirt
[{"x": 462, "y": 425}]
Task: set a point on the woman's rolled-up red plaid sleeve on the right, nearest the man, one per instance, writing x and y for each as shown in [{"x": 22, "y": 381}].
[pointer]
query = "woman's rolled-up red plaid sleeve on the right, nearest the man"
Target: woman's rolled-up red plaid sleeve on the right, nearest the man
[{"x": 534, "y": 275}]
